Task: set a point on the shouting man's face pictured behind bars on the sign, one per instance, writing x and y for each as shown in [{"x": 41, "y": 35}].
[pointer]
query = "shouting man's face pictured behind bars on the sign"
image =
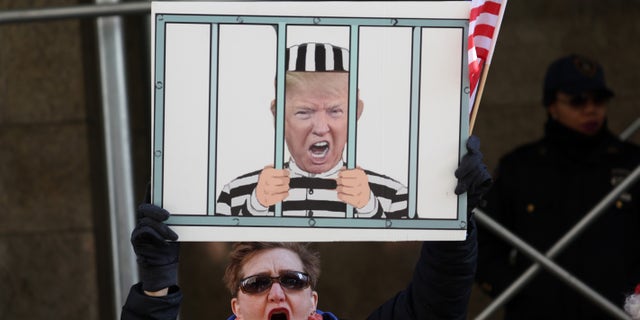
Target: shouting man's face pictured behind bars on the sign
[{"x": 316, "y": 113}]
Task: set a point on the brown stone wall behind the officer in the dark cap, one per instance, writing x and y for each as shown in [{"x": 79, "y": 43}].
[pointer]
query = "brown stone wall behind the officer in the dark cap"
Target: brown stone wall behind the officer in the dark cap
[{"x": 533, "y": 34}]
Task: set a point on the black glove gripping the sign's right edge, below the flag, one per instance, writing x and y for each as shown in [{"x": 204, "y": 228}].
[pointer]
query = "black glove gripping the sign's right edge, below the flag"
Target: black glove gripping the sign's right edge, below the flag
[{"x": 472, "y": 174}]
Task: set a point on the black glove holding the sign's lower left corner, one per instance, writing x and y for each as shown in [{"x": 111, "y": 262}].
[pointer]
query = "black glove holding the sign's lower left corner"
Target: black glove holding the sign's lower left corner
[{"x": 157, "y": 256}]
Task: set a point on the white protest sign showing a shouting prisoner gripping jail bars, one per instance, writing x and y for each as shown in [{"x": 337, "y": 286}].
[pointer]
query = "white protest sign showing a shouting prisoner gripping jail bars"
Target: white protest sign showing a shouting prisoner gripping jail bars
[{"x": 220, "y": 117}]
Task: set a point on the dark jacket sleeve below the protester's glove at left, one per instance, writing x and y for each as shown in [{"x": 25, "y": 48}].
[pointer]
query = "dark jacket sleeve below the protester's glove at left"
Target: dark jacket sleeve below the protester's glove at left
[{"x": 141, "y": 306}]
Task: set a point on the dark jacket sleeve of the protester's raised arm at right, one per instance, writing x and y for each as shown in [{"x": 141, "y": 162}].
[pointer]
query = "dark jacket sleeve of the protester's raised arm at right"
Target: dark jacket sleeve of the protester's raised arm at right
[{"x": 441, "y": 284}]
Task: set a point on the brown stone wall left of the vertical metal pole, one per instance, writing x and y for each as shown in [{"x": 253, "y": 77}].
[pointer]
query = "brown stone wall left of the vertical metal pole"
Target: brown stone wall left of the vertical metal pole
[{"x": 47, "y": 240}]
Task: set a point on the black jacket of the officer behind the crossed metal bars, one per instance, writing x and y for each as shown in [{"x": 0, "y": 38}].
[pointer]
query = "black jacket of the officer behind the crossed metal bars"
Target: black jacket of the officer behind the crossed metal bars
[{"x": 541, "y": 190}]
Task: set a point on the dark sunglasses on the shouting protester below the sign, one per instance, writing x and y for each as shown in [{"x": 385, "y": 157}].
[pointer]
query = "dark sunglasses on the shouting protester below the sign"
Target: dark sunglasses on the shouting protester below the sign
[{"x": 290, "y": 280}]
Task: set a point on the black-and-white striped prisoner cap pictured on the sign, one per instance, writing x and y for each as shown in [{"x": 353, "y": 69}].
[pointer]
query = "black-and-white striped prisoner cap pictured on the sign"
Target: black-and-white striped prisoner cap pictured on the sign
[{"x": 317, "y": 57}]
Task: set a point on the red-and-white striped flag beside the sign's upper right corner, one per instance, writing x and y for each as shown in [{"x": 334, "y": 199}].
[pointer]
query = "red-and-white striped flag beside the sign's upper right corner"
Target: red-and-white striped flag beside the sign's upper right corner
[{"x": 484, "y": 24}]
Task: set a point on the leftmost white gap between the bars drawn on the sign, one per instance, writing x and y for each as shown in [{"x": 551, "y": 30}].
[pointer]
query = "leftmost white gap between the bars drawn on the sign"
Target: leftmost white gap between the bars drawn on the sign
[{"x": 186, "y": 117}]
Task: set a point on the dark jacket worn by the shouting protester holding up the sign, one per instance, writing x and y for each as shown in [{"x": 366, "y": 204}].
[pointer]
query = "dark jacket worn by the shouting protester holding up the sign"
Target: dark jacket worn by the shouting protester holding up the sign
[{"x": 440, "y": 288}]
